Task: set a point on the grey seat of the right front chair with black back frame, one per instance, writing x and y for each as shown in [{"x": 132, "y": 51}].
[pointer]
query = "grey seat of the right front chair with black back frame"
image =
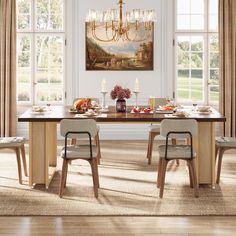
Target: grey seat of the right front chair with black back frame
[{"x": 176, "y": 152}]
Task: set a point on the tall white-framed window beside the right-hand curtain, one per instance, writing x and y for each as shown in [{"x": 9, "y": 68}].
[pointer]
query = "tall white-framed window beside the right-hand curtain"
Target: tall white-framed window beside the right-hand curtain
[{"x": 197, "y": 53}]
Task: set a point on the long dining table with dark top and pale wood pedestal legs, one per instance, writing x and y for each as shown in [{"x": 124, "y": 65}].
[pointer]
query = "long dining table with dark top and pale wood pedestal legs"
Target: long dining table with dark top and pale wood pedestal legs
[{"x": 43, "y": 138}]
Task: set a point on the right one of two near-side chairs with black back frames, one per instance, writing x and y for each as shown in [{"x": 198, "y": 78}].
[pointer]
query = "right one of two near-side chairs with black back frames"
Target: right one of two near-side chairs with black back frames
[{"x": 178, "y": 129}]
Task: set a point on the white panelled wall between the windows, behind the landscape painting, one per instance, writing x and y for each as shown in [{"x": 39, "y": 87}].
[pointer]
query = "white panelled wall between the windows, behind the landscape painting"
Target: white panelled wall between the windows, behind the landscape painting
[{"x": 82, "y": 83}]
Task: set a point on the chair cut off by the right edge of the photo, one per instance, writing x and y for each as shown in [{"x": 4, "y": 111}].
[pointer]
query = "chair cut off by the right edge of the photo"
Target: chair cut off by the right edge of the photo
[{"x": 223, "y": 144}]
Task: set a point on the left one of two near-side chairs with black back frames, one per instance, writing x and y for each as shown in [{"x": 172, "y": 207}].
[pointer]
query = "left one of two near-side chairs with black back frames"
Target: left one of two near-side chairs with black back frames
[{"x": 87, "y": 129}]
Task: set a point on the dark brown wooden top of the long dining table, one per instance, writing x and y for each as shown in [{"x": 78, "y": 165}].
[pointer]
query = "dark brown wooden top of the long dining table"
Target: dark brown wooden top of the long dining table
[{"x": 57, "y": 113}]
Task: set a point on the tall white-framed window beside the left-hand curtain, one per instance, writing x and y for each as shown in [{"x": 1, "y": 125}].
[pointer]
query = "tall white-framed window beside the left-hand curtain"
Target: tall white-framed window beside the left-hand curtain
[{"x": 40, "y": 51}]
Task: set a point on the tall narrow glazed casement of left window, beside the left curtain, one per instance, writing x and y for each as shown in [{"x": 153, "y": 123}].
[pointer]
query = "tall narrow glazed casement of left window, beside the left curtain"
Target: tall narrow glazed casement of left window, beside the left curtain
[{"x": 23, "y": 68}]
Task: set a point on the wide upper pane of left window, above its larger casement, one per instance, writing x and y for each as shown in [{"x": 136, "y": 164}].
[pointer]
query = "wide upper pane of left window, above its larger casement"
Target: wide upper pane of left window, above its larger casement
[{"x": 49, "y": 14}]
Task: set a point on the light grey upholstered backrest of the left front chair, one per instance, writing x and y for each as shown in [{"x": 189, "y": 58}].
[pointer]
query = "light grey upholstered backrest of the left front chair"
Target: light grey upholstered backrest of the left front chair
[{"x": 73, "y": 125}]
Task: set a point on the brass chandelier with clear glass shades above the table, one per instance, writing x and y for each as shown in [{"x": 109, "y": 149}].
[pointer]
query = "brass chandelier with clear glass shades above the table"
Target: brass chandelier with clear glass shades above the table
[{"x": 135, "y": 25}]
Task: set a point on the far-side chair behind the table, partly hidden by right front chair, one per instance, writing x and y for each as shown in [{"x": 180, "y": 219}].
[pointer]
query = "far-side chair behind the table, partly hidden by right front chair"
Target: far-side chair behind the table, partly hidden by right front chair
[{"x": 154, "y": 130}]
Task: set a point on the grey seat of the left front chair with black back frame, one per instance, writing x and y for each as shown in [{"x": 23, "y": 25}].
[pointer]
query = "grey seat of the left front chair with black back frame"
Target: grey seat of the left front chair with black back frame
[{"x": 79, "y": 151}]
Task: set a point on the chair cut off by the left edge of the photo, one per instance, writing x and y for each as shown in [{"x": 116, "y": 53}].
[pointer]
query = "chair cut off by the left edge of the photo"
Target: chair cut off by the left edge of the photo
[{"x": 17, "y": 145}]
